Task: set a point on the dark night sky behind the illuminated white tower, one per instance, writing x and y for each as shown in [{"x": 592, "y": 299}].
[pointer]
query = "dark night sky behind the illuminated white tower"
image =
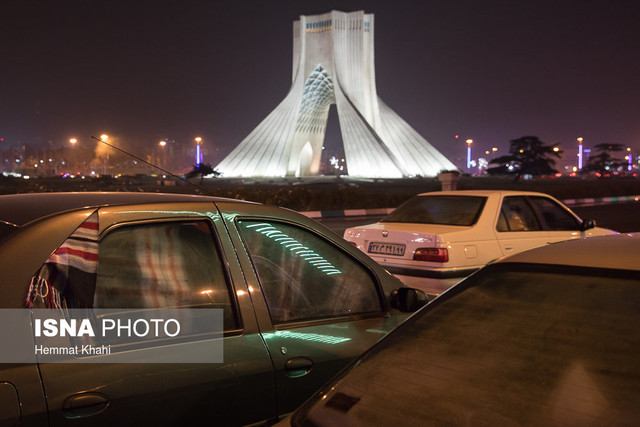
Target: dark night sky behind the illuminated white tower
[{"x": 488, "y": 70}]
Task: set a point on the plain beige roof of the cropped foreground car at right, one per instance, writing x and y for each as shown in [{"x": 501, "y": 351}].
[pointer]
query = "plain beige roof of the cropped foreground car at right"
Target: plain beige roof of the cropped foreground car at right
[{"x": 620, "y": 251}]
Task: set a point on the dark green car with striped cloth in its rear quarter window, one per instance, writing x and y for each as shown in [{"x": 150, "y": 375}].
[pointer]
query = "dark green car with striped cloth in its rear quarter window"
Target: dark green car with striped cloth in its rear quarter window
[{"x": 296, "y": 304}]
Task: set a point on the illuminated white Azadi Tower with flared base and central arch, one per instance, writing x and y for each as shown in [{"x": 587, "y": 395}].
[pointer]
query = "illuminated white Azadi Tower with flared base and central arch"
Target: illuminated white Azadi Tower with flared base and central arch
[{"x": 333, "y": 64}]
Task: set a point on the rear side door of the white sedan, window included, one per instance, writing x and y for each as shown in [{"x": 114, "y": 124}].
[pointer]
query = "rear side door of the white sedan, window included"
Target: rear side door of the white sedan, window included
[{"x": 518, "y": 227}]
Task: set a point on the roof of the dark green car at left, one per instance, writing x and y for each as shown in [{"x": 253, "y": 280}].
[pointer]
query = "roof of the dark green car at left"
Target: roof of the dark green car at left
[{"x": 20, "y": 209}]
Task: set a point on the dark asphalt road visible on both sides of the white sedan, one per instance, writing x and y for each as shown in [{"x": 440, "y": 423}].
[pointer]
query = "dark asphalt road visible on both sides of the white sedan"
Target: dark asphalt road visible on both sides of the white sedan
[{"x": 622, "y": 217}]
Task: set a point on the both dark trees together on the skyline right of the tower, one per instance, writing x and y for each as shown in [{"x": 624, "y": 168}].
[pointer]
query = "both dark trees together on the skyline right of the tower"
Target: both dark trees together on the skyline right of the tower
[{"x": 530, "y": 156}]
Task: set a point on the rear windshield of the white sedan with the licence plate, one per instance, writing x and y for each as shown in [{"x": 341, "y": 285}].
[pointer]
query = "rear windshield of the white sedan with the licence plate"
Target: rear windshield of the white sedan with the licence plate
[{"x": 443, "y": 210}]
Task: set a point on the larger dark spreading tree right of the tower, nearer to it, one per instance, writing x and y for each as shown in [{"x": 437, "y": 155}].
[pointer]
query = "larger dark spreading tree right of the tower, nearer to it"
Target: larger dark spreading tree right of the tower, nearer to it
[{"x": 527, "y": 156}]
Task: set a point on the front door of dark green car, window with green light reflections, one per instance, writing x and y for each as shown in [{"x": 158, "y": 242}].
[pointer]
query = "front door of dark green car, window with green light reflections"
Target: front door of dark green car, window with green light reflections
[{"x": 322, "y": 307}]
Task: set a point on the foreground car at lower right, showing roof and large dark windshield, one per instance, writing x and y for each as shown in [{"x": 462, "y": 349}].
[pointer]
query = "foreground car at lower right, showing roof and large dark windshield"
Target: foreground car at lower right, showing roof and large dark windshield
[{"x": 544, "y": 337}]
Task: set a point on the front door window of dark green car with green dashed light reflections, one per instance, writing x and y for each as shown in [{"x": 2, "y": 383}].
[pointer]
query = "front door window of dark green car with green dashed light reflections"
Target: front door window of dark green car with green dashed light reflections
[{"x": 305, "y": 277}]
